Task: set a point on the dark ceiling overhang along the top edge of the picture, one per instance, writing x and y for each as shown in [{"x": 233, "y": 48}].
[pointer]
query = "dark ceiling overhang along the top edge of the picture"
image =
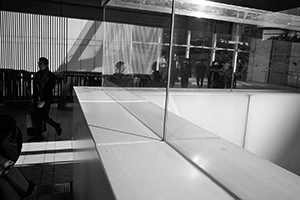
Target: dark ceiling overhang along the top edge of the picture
[{"x": 103, "y": 11}]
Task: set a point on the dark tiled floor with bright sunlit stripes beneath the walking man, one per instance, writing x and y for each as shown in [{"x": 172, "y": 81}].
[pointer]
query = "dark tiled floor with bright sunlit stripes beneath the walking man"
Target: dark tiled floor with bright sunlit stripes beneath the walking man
[{"x": 49, "y": 163}]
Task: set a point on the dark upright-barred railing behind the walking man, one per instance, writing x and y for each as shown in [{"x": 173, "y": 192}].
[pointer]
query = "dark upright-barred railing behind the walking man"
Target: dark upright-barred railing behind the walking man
[{"x": 16, "y": 85}]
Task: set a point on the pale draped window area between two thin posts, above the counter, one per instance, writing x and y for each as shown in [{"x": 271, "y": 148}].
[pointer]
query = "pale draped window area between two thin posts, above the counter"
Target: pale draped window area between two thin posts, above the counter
[{"x": 131, "y": 54}]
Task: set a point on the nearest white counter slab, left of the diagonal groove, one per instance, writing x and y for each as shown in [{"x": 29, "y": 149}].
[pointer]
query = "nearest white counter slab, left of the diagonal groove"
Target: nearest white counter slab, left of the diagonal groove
[{"x": 154, "y": 171}]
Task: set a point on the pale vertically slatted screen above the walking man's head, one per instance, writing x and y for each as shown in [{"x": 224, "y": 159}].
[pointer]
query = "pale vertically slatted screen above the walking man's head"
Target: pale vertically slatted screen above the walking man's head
[{"x": 26, "y": 37}]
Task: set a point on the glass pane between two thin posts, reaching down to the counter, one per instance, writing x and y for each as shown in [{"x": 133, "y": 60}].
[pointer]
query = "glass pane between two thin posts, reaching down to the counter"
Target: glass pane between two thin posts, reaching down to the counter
[{"x": 134, "y": 58}]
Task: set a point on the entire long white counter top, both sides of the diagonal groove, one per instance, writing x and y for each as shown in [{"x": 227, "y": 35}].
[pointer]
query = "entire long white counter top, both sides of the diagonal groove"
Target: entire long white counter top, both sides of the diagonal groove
[{"x": 125, "y": 131}]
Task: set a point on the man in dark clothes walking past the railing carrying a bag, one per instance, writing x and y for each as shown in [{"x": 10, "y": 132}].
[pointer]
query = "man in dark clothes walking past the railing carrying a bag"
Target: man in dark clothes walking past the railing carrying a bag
[{"x": 43, "y": 84}]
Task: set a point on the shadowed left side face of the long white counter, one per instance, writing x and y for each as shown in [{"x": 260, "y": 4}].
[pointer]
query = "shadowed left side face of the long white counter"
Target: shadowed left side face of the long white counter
[{"x": 89, "y": 180}]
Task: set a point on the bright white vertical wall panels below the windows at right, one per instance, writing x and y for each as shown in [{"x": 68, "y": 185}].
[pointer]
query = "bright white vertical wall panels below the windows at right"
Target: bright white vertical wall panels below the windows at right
[{"x": 270, "y": 129}]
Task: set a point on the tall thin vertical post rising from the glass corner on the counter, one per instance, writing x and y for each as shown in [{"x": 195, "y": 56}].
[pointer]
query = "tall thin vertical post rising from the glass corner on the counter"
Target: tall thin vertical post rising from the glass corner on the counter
[{"x": 169, "y": 73}]
